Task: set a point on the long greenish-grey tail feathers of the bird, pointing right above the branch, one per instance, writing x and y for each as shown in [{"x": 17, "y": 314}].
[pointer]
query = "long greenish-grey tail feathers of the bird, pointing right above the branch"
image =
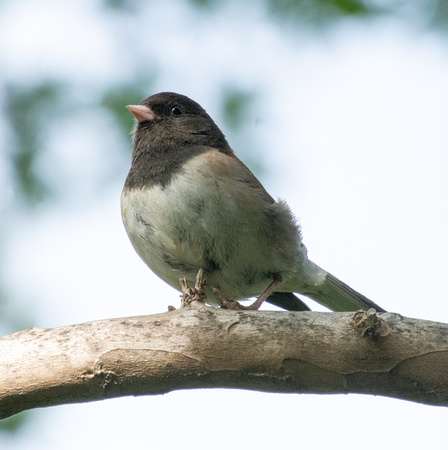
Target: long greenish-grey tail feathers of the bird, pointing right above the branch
[{"x": 336, "y": 295}]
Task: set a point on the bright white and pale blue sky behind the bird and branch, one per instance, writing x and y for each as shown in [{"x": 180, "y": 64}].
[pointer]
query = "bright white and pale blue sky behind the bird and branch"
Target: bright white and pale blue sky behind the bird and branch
[{"x": 348, "y": 128}]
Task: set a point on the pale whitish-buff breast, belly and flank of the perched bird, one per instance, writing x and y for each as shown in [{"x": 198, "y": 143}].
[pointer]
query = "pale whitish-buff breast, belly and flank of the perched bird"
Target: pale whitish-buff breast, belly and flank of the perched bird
[{"x": 203, "y": 220}]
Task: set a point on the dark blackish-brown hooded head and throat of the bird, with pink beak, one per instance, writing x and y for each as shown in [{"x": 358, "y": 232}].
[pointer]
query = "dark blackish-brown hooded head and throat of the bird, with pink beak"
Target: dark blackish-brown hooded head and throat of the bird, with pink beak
[{"x": 171, "y": 128}]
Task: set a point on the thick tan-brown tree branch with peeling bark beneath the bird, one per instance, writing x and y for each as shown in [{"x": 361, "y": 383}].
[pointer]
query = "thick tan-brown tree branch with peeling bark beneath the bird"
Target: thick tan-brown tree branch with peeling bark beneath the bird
[{"x": 301, "y": 352}]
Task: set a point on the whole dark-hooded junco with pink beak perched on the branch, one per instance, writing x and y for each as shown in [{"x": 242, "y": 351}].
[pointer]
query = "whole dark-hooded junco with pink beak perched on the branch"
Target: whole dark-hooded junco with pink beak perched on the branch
[{"x": 189, "y": 203}]
